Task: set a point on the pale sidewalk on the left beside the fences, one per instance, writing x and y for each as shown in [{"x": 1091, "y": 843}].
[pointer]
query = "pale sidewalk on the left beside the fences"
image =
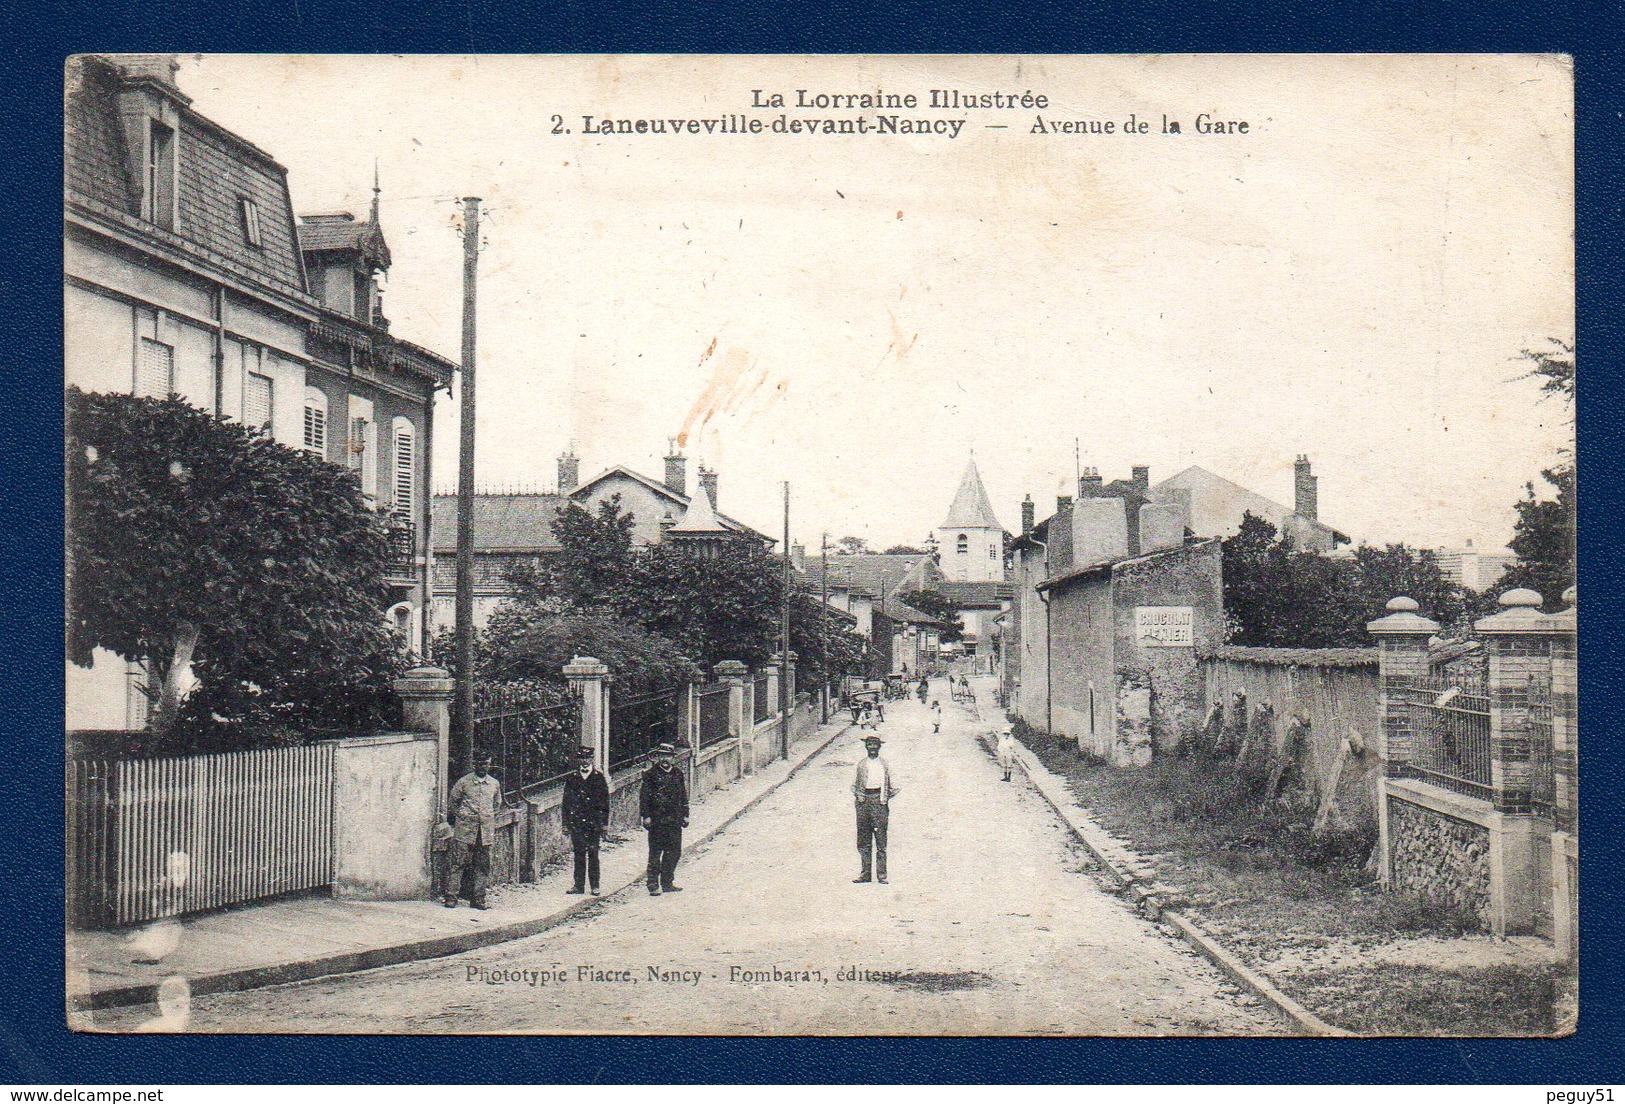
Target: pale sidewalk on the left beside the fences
[{"x": 300, "y": 939}]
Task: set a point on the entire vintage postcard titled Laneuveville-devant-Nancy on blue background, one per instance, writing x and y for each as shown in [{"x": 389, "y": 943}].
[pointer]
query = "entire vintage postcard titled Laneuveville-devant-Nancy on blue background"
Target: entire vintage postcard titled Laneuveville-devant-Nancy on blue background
[{"x": 821, "y": 545}]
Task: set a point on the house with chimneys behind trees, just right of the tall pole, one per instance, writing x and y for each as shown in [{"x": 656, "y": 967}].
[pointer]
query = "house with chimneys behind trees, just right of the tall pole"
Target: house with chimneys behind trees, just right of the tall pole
[{"x": 516, "y": 529}]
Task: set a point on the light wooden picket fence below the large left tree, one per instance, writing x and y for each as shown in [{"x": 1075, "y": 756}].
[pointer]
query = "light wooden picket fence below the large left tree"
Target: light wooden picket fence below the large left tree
[{"x": 162, "y": 838}]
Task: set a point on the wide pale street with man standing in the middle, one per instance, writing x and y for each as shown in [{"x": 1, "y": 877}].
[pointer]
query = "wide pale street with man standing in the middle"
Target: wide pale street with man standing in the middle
[{"x": 989, "y": 928}]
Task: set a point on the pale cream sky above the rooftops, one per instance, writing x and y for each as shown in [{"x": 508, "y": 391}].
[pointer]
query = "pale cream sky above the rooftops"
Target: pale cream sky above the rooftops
[{"x": 1351, "y": 279}]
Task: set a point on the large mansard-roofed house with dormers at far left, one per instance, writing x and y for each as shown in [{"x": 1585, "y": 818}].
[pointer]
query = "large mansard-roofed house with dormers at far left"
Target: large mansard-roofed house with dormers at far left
[{"x": 188, "y": 272}]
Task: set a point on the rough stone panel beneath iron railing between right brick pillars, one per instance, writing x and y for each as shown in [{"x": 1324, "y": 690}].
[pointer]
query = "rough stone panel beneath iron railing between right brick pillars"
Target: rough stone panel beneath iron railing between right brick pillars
[{"x": 1441, "y": 858}]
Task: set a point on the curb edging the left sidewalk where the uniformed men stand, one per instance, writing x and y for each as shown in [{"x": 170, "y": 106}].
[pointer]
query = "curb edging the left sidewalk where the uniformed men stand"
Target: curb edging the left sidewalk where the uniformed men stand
[{"x": 438, "y": 947}]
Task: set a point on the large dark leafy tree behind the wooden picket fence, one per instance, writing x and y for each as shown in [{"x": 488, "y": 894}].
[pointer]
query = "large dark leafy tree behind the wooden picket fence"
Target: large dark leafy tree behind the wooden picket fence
[{"x": 204, "y": 549}]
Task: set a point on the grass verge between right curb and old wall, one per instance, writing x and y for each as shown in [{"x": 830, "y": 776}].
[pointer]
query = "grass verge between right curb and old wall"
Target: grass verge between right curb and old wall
[{"x": 1306, "y": 911}]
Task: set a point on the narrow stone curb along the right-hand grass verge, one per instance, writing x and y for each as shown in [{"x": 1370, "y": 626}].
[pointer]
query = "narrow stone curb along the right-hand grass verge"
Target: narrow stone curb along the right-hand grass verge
[{"x": 1158, "y": 903}]
